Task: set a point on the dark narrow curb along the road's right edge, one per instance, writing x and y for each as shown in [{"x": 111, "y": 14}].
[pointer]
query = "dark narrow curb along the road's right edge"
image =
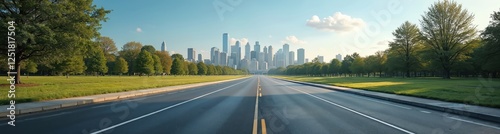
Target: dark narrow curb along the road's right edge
[{"x": 476, "y": 115}]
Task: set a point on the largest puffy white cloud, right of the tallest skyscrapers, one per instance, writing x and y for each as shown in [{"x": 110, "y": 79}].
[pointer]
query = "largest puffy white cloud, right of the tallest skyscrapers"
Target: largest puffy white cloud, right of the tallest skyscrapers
[{"x": 336, "y": 23}]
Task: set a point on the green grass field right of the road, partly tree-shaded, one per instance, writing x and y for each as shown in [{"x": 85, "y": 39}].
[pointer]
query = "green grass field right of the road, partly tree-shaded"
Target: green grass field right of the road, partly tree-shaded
[{"x": 476, "y": 91}]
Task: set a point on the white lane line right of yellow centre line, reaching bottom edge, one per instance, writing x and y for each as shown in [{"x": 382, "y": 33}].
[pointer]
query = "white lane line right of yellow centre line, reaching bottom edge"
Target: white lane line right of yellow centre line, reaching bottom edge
[{"x": 356, "y": 112}]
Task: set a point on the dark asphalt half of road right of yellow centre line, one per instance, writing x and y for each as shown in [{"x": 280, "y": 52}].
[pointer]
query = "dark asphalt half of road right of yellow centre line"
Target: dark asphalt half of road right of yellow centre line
[{"x": 294, "y": 108}]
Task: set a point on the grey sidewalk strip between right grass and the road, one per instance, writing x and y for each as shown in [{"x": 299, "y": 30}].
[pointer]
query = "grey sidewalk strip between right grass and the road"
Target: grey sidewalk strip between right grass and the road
[{"x": 479, "y": 112}]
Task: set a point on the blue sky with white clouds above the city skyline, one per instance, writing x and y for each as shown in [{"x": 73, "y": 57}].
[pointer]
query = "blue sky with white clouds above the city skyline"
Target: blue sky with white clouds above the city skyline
[{"x": 321, "y": 27}]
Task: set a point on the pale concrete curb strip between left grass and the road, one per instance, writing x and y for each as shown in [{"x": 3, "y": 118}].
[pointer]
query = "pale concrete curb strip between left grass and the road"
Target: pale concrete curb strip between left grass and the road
[{"x": 120, "y": 95}]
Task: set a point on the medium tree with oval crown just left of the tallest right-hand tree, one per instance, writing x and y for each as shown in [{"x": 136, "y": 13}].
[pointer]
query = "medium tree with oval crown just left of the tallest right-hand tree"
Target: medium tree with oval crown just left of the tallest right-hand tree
[{"x": 406, "y": 40}]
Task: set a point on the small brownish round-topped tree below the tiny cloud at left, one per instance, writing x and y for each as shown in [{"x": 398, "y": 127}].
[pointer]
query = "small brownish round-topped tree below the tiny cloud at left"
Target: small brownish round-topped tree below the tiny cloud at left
[{"x": 129, "y": 52}]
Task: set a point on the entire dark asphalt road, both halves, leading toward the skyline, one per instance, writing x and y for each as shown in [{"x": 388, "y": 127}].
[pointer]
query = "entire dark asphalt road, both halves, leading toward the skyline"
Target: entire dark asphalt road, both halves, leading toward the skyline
[{"x": 230, "y": 107}]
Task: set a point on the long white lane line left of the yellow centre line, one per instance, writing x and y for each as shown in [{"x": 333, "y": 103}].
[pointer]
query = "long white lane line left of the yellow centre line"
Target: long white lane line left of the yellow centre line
[{"x": 163, "y": 109}]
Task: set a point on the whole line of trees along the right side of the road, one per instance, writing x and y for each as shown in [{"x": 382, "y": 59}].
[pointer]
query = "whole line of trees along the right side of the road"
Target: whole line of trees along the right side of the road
[{"x": 446, "y": 44}]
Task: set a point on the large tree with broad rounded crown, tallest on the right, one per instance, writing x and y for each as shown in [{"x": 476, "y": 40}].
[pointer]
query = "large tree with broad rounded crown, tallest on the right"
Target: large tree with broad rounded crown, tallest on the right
[{"x": 447, "y": 30}]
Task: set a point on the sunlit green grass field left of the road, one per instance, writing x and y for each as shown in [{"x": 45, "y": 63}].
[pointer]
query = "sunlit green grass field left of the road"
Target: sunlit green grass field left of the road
[{"x": 38, "y": 88}]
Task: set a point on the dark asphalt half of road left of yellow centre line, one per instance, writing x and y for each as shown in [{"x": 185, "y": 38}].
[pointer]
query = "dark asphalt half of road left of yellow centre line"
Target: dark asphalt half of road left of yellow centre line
[{"x": 220, "y": 108}]
